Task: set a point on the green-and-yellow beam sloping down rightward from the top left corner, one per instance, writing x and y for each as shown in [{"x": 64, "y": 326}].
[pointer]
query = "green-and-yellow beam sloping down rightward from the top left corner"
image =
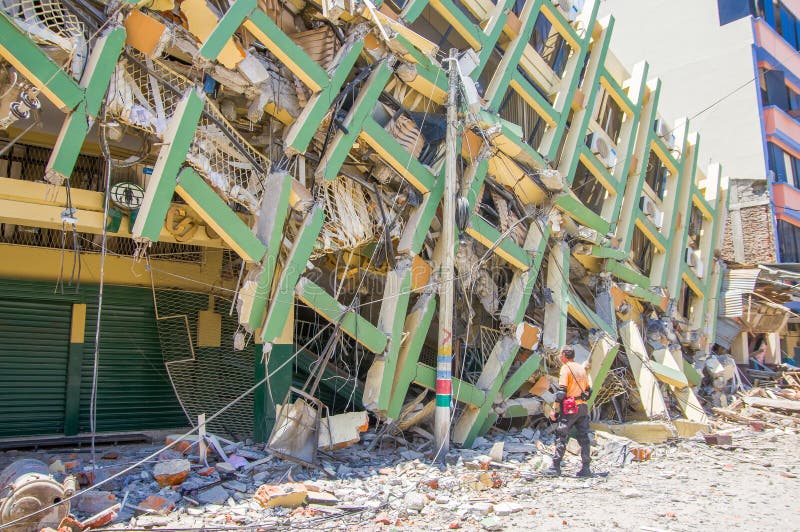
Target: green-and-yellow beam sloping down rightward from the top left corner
[{"x": 37, "y": 67}]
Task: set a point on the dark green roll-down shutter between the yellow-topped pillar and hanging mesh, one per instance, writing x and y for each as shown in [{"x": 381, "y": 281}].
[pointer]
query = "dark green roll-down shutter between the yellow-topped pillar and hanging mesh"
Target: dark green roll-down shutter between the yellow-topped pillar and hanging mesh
[{"x": 134, "y": 391}]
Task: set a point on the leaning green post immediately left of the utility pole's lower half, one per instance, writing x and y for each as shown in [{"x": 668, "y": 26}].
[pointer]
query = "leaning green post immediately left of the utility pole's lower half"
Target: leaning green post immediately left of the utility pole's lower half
[{"x": 417, "y": 324}]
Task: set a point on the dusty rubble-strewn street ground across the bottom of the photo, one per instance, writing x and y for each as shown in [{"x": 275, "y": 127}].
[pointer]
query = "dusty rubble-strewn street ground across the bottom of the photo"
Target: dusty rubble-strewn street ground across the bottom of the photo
[{"x": 383, "y": 484}]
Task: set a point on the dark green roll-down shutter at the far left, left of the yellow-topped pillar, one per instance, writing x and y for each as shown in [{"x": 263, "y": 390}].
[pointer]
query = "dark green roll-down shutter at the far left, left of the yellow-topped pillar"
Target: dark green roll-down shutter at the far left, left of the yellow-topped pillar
[{"x": 34, "y": 348}]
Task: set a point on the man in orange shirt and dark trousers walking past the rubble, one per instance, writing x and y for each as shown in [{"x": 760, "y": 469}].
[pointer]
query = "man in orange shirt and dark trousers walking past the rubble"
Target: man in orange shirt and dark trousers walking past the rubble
[{"x": 571, "y": 410}]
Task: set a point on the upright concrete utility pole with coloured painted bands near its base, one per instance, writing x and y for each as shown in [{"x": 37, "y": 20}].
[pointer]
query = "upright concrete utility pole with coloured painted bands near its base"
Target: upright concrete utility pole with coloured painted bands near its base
[{"x": 444, "y": 359}]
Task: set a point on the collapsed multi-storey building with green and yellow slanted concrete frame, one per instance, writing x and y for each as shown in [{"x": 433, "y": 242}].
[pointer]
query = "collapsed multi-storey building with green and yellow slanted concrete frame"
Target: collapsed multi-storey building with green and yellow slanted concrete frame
[{"x": 225, "y": 193}]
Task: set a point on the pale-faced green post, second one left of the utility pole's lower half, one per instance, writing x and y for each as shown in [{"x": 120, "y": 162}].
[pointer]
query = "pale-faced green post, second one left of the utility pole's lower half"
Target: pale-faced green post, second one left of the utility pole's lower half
[{"x": 396, "y": 294}]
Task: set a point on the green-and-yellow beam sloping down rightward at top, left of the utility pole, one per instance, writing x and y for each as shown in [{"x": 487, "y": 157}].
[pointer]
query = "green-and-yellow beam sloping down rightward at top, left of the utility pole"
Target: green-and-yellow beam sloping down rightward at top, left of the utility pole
[{"x": 286, "y": 50}]
